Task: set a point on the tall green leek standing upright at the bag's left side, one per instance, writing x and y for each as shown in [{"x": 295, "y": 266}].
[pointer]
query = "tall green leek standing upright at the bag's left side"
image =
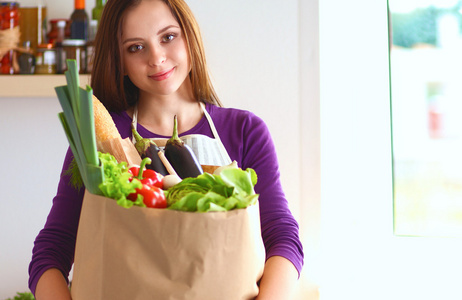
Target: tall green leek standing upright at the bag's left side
[{"x": 79, "y": 125}]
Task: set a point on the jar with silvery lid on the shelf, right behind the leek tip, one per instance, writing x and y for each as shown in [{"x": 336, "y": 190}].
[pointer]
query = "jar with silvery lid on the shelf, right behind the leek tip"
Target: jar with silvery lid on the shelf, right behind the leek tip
[{"x": 74, "y": 49}]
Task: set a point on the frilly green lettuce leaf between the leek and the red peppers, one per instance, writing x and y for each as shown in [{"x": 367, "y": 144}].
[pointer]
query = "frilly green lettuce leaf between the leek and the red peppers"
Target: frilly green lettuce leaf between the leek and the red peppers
[{"x": 118, "y": 183}]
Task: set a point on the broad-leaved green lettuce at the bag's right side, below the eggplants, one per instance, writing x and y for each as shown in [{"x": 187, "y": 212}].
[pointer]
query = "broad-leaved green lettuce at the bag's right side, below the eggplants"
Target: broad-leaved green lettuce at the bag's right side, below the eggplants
[{"x": 232, "y": 189}]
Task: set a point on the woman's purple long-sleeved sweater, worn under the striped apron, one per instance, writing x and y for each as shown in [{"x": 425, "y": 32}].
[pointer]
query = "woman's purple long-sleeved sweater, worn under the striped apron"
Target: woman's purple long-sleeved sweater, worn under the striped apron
[{"x": 247, "y": 140}]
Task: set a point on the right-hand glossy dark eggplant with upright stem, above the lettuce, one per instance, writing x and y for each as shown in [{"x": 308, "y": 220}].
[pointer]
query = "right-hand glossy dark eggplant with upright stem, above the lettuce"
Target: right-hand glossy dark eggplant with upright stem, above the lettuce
[{"x": 181, "y": 156}]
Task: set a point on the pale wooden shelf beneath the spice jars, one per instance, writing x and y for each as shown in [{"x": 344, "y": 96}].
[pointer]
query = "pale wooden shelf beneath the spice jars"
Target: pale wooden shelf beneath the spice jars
[{"x": 34, "y": 85}]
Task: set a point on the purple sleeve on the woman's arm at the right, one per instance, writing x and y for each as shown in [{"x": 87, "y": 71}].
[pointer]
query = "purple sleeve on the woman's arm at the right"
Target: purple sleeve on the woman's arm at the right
[{"x": 249, "y": 142}]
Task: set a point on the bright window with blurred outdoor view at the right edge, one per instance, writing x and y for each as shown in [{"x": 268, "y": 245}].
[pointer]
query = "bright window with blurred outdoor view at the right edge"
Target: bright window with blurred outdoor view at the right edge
[{"x": 426, "y": 92}]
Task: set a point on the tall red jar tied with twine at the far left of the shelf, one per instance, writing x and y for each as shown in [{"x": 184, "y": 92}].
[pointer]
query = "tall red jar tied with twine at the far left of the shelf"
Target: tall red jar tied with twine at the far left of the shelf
[{"x": 9, "y": 35}]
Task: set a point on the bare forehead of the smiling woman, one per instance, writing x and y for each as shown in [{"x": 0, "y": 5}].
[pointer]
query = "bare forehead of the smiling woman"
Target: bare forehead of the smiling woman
[{"x": 147, "y": 15}]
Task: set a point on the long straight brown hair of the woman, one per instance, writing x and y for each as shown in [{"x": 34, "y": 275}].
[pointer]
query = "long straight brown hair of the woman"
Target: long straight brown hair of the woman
[{"x": 109, "y": 84}]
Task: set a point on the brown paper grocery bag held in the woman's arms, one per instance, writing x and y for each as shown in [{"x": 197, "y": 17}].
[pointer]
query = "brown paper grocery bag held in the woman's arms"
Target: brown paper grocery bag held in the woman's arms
[{"x": 145, "y": 253}]
